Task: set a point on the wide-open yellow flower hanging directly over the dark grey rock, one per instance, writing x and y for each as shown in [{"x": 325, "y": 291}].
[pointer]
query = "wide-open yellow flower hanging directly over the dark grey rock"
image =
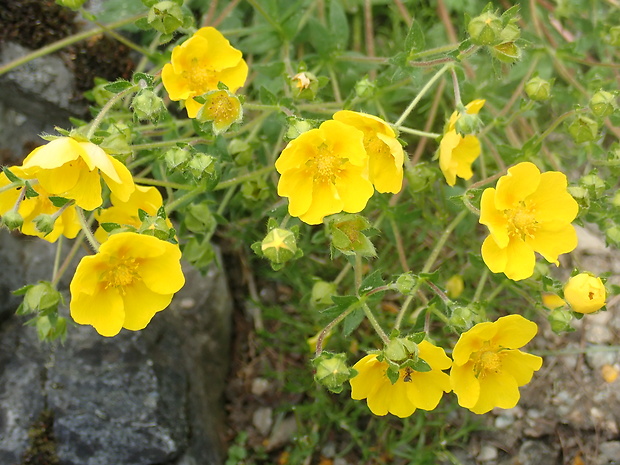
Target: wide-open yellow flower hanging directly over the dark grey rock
[{"x": 131, "y": 278}]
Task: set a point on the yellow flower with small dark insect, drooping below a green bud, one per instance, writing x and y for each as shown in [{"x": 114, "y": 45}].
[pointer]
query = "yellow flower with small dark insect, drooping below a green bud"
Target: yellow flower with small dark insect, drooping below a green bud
[{"x": 412, "y": 390}]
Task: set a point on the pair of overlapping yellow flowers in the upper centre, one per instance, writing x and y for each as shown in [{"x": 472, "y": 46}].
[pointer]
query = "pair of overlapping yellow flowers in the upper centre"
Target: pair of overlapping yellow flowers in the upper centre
[{"x": 337, "y": 166}]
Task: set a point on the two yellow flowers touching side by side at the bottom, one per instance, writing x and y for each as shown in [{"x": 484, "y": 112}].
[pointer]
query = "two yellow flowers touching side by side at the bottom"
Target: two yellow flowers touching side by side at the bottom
[{"x": 487, "y": 371}]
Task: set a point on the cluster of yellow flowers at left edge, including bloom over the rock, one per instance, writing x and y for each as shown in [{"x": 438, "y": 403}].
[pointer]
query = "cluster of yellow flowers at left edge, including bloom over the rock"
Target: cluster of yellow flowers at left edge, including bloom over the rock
[{"x": 132, "y": 276}]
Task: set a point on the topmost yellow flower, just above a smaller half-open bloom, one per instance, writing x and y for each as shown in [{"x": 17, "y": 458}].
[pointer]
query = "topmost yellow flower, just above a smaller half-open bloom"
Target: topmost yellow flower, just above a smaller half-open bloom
[{"x": 199, "y": 64}]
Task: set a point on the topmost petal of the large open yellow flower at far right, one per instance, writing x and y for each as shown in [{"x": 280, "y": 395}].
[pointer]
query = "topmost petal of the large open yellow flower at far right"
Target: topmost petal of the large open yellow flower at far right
[{"x": 522, "y": 180}]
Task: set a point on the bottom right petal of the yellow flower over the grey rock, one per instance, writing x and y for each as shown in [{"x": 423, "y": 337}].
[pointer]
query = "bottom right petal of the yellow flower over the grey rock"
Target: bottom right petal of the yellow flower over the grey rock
[{"x": 141, "y": 304}]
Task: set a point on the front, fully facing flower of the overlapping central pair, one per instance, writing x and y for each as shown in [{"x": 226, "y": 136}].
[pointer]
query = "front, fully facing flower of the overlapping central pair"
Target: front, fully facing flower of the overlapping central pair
[{"x": 325, "y": 171}]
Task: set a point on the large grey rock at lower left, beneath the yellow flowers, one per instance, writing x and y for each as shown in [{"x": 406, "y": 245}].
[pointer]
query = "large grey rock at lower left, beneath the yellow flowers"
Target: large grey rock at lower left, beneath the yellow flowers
[{"x": 140, "y": 398}]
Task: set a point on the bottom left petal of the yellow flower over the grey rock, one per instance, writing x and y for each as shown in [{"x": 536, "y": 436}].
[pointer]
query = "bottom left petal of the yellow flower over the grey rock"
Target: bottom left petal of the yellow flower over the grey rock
[{"x": 103, "y": 310}]
